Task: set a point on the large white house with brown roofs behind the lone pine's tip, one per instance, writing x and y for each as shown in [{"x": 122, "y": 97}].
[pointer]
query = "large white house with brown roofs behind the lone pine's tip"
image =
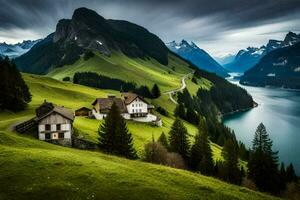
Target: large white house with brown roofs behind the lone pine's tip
[{"x": 132, "y": 107}]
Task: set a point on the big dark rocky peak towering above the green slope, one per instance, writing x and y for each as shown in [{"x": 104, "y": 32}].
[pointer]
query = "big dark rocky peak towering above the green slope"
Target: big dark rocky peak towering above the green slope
[{"x": 88, "y": 31}]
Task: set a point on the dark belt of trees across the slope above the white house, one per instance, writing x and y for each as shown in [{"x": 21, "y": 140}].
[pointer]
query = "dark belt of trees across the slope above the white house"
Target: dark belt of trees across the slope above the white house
[{"x": 103, "y": 82}]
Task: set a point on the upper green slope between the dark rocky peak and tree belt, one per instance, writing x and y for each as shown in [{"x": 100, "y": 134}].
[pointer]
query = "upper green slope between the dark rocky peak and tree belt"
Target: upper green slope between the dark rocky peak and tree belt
[{"x": 143, "y": 72}]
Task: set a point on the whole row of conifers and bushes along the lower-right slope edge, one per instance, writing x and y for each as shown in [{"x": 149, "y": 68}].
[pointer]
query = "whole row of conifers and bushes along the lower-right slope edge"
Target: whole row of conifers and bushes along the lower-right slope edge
[{"x": 263, "y": 172}]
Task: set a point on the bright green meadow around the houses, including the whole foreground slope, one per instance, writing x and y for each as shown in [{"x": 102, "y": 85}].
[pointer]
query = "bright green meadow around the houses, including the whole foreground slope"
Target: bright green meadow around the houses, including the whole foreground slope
[{"x": 32, "y": 169}]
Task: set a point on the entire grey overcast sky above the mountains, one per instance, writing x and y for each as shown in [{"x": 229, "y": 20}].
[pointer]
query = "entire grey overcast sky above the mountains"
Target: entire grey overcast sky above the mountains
[{"x": 218, "y": 26}]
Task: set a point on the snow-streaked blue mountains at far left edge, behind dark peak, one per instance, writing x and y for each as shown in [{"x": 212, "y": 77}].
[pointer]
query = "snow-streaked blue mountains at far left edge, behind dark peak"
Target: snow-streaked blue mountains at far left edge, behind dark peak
[{"x": 15, "y": 50}]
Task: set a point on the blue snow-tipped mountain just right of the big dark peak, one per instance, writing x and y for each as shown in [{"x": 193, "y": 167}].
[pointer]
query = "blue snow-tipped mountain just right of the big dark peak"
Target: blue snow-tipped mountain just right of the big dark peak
[{"x": 197, "y": 56}]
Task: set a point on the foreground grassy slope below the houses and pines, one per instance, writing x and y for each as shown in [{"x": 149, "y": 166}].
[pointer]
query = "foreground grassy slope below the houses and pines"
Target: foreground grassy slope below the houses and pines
[{"x": 31, "y": 169}]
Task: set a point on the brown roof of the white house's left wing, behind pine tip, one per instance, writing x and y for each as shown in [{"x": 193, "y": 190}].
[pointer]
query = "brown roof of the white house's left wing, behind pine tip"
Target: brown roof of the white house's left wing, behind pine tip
[{"x": 106, "y": 103}]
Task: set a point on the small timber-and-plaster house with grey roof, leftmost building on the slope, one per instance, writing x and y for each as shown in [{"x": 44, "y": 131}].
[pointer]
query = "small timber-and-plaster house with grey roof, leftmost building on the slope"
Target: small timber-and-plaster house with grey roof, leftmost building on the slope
[{"x": 55, "y": 124}]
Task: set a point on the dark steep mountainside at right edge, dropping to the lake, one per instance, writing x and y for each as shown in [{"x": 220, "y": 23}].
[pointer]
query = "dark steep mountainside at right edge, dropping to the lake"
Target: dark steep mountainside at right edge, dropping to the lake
[{"x": 280, "y": 68}]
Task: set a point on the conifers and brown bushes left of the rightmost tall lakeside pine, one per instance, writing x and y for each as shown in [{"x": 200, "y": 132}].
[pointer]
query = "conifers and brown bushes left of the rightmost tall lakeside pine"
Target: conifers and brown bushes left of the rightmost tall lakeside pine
[{"x": 197, "y": 156}]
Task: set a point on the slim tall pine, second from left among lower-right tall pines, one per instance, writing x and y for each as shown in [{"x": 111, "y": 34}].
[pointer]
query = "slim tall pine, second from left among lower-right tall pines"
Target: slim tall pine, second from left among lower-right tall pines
[{"x": 201, "y": 153}]
